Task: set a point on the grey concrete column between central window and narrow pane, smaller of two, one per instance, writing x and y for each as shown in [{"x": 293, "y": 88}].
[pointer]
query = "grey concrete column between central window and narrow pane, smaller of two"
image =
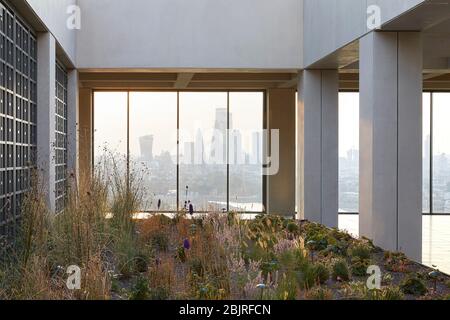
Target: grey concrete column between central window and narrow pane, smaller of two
[{"x": 317, "y": 157}]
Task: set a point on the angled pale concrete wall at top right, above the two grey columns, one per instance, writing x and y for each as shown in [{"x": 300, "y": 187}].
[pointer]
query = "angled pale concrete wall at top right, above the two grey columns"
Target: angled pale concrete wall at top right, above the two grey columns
[{"x": 332, "y": 24}]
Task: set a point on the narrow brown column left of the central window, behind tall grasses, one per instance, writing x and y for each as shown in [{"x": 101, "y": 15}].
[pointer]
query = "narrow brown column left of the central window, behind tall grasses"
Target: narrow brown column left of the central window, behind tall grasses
[{"x": 85, "y": 133}]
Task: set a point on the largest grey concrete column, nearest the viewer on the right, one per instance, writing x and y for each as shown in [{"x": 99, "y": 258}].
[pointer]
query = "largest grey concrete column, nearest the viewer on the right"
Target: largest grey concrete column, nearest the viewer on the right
[{"x": 391, "y": 141}]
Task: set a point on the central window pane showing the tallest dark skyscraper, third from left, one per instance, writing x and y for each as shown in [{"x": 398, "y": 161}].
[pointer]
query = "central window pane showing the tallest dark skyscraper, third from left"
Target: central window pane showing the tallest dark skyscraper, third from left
[{"x": 203, "y": 146}]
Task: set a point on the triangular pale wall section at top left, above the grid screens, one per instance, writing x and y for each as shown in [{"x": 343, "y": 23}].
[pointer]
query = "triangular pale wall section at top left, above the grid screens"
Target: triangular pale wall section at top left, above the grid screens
[{"x": 53, "y": 14}]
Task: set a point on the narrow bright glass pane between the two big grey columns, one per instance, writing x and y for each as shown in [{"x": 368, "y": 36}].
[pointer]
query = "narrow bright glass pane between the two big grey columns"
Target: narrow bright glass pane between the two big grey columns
[{"x": 348, "y": 152}]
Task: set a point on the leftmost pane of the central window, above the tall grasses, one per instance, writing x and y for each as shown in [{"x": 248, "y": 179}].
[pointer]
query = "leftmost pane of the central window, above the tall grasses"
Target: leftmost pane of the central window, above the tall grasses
[{"x": 110, "y": 130}]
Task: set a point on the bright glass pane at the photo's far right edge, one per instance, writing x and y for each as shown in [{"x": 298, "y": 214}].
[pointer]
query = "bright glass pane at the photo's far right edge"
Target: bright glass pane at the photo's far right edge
[{"x": 441, "y": 153}]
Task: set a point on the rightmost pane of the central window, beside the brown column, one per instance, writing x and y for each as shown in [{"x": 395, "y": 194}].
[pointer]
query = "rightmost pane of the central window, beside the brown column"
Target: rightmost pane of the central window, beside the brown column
[{"x": 245, "y": 149}]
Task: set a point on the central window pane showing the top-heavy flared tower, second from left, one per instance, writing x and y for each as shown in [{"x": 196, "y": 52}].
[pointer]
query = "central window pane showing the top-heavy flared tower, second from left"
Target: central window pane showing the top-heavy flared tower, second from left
[{"x": 153, "y": 147}]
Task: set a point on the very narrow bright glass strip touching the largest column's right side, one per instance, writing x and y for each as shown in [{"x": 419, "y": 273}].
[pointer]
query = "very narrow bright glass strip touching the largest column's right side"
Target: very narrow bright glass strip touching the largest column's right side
[{"x": 426, "y": 153}]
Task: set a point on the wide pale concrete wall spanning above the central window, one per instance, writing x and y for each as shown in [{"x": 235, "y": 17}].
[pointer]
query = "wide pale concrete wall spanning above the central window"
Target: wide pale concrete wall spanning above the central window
[{"x": 190, "y": 34}]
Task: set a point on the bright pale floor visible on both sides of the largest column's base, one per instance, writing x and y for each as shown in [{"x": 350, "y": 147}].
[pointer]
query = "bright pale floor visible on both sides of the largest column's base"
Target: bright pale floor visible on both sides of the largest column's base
[{"x": 435, "y": 238}]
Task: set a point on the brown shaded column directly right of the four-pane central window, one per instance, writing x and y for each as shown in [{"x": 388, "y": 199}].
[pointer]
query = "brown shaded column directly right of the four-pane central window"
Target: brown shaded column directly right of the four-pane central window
[{"x": 280, "y": 187}]
